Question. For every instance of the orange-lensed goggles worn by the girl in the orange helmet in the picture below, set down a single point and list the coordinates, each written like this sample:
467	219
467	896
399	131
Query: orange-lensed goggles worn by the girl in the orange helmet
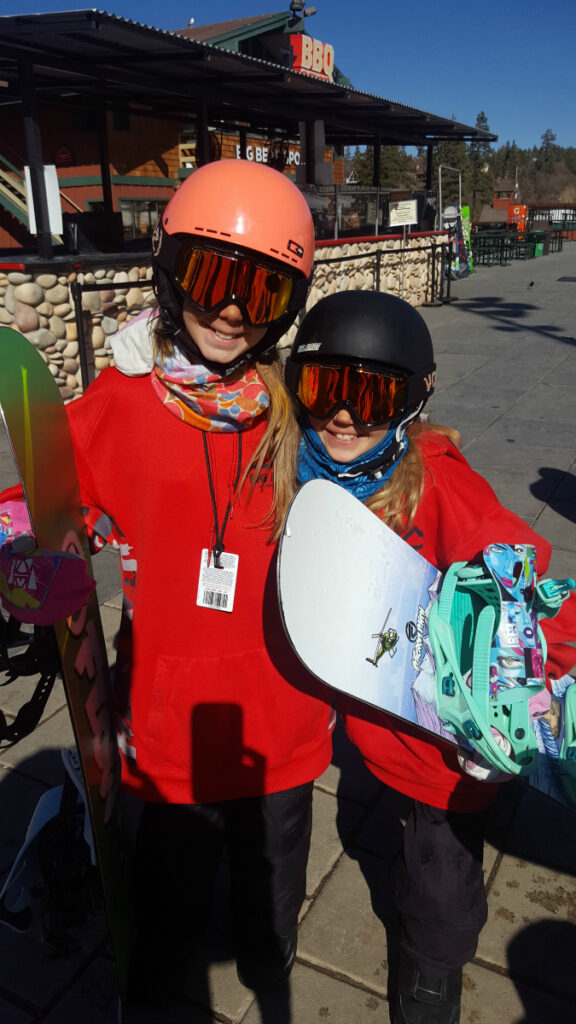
212	279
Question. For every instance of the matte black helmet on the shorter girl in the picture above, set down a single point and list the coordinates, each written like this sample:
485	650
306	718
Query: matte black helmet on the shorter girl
372	330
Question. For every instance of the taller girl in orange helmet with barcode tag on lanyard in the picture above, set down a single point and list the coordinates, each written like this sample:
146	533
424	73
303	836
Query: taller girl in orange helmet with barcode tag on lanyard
221	732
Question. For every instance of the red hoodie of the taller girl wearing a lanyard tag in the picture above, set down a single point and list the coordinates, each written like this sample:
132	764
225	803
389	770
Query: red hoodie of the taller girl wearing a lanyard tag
214	706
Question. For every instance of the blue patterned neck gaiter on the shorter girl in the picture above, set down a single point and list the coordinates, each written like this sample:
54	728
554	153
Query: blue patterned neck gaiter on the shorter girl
365	476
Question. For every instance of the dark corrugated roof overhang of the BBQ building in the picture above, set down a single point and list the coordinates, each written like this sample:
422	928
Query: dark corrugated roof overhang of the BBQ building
93	58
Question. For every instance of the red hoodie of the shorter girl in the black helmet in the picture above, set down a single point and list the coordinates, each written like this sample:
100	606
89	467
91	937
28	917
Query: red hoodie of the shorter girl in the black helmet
460	515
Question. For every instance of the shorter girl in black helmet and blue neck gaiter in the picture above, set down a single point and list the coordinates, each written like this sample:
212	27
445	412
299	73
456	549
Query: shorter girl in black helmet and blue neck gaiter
362	370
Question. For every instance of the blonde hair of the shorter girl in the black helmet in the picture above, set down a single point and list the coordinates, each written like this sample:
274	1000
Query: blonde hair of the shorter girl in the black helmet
398	502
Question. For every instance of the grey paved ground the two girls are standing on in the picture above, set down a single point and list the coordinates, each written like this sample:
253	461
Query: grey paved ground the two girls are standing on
507	355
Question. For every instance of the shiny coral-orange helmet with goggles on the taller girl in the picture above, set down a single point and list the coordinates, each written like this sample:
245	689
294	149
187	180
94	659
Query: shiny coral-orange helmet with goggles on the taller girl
235	232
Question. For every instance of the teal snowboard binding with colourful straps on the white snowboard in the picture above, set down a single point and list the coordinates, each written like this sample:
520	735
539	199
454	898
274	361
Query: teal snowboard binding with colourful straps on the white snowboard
490	653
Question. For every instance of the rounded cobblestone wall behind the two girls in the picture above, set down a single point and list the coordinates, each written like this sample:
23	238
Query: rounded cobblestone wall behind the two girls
40	305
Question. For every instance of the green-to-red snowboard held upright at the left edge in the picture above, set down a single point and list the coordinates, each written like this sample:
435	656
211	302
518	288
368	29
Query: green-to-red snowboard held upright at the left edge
36	423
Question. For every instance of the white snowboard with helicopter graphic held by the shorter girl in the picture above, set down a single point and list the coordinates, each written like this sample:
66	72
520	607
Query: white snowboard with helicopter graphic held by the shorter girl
358	605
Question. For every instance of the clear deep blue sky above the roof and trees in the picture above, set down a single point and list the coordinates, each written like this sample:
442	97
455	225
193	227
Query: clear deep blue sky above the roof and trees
515	62
